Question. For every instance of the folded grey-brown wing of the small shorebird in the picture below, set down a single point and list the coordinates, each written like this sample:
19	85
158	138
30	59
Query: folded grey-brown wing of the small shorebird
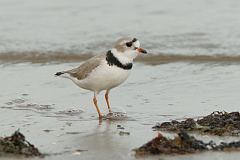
87	67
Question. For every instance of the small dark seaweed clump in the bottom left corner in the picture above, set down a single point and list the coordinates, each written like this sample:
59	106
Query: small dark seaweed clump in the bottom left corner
16	144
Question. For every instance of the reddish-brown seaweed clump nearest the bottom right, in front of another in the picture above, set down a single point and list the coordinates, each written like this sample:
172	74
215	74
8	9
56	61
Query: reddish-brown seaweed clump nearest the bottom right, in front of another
183	144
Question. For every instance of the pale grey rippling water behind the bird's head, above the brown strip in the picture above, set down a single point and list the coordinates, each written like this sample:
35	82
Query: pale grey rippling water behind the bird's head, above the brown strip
183	27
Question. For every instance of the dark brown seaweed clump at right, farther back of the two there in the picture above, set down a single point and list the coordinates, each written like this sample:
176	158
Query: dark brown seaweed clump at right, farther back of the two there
217	123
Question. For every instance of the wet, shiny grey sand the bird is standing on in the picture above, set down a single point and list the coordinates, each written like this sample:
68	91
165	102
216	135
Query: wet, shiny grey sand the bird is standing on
60	119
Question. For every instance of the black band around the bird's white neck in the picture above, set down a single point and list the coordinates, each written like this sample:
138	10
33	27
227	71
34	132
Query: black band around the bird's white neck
112	60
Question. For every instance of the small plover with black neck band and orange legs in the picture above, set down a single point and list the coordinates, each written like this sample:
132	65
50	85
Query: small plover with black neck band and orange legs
106	71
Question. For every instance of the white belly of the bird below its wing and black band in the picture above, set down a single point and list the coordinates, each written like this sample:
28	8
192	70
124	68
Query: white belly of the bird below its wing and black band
103	77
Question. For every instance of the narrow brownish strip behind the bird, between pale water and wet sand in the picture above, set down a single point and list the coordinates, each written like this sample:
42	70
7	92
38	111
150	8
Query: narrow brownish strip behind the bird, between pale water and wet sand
150	59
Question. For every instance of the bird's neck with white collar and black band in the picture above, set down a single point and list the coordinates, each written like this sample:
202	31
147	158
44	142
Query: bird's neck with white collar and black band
118	60
